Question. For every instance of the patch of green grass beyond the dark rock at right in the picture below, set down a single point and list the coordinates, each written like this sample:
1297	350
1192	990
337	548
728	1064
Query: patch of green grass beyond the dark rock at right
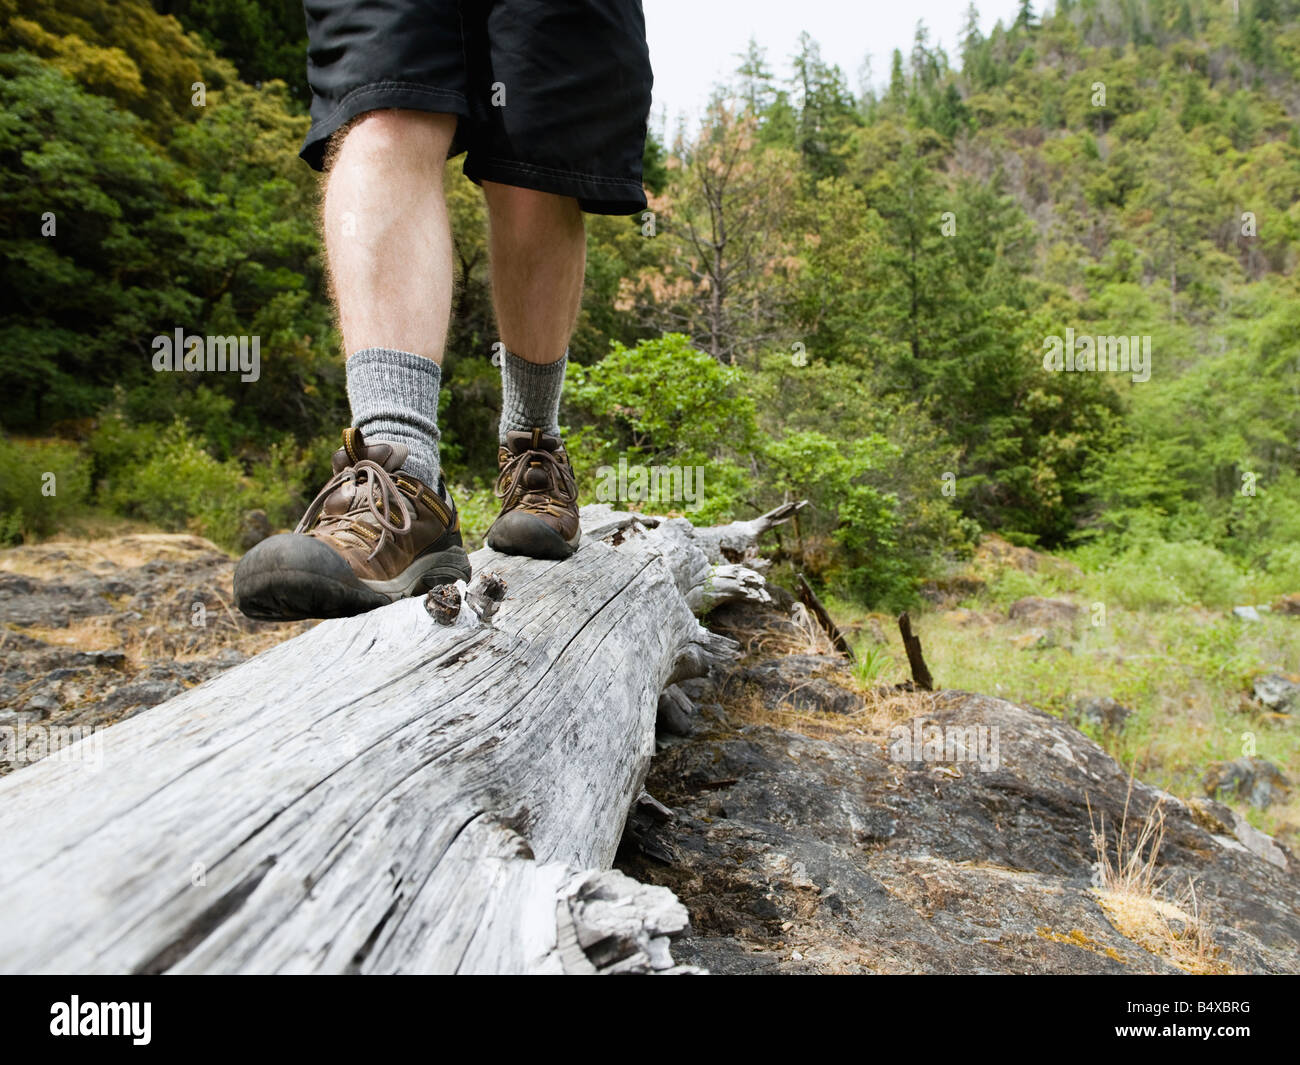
1185	669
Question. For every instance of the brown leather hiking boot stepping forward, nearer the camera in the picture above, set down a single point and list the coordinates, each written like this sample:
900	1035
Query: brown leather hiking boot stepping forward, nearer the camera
374	535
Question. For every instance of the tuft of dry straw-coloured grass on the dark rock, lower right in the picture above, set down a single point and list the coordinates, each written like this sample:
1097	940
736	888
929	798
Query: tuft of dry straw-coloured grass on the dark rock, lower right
1137	899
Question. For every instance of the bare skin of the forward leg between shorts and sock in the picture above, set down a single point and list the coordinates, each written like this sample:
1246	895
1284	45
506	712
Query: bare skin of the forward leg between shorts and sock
387	233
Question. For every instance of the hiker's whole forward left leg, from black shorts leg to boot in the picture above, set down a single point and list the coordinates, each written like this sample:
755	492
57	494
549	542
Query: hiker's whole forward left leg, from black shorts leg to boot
389	81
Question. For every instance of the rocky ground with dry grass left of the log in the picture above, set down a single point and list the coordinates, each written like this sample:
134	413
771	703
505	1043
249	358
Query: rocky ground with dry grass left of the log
94	633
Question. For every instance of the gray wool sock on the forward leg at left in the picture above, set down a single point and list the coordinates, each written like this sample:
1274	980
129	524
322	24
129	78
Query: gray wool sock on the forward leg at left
395	399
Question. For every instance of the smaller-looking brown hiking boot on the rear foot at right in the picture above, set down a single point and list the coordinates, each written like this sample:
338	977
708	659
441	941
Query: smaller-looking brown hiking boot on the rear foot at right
539	499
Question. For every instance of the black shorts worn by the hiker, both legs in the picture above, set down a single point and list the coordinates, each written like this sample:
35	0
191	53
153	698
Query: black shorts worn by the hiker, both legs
552	94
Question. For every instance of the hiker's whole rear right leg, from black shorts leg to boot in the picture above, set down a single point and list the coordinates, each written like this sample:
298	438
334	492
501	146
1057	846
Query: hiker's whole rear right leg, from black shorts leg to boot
545	150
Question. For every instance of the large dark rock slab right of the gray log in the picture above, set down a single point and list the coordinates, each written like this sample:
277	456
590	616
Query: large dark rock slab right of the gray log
859	851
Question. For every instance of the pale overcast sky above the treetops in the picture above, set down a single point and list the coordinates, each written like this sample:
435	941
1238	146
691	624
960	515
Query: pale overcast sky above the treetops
694	42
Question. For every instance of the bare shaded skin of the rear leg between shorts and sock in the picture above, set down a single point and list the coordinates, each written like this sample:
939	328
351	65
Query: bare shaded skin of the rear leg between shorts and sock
539	258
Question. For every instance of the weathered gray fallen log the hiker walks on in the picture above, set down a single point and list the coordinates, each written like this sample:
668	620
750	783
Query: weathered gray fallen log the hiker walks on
382	794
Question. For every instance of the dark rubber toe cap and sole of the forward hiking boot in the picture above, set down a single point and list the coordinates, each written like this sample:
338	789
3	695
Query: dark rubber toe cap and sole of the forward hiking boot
292	577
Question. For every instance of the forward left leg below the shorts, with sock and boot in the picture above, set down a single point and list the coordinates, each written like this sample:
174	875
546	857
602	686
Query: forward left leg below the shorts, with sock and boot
389	249
